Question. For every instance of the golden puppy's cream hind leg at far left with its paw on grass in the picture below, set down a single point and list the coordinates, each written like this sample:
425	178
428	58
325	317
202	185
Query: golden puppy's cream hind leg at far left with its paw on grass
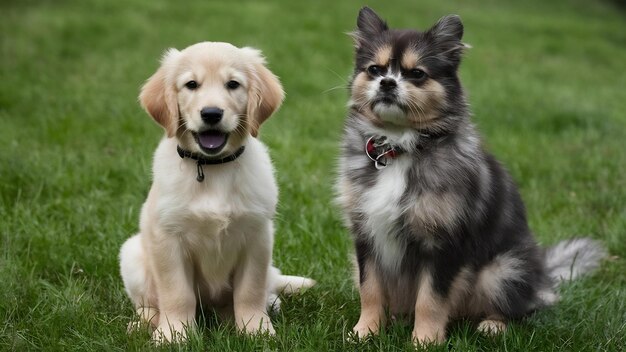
137	283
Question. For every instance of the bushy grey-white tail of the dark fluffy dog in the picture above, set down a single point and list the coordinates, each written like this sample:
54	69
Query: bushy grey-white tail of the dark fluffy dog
570	259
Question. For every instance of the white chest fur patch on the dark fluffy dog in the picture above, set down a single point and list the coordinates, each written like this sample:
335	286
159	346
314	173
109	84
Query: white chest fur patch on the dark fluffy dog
381	204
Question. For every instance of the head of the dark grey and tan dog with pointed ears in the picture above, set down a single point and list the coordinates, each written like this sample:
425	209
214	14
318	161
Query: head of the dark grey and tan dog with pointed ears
407	78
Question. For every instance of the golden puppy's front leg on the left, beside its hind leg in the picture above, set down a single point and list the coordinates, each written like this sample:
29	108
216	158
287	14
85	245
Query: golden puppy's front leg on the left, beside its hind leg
174	284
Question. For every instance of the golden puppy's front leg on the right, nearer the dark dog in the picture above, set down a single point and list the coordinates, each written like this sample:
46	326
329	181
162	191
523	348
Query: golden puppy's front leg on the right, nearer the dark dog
250	283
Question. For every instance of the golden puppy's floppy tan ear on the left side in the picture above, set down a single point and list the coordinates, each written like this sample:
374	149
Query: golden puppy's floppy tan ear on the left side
158	95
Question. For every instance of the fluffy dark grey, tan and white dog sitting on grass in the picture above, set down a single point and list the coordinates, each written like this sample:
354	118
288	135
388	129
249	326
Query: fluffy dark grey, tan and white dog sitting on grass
439	227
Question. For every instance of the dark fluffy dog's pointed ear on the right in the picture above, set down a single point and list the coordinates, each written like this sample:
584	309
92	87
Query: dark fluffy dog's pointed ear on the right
447	34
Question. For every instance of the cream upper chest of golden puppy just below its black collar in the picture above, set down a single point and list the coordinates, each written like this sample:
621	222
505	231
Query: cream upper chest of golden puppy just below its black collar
230	195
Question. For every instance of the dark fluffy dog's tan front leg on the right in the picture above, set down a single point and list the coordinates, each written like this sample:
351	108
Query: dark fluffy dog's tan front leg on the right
431	314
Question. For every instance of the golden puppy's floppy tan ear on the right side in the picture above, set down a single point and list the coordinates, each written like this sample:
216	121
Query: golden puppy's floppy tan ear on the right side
265	93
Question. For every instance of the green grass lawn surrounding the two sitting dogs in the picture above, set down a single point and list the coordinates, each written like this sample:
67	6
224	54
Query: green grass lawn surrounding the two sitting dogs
546	82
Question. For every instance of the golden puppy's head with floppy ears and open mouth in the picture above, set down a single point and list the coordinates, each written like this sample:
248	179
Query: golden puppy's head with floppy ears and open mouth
211	96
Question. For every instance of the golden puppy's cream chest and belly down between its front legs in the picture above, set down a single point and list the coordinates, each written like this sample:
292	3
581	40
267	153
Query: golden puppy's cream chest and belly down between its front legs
214	219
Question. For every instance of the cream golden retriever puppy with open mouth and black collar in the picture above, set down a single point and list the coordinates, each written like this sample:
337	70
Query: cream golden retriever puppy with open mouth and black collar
206	230
